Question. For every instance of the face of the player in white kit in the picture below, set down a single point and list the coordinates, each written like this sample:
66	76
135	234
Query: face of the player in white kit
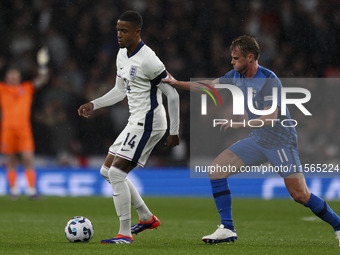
128	35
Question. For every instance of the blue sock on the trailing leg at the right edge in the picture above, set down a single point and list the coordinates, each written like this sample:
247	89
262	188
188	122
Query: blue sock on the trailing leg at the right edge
321	209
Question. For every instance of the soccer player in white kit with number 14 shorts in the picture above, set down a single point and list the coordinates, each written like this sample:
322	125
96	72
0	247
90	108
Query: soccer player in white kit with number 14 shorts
139	78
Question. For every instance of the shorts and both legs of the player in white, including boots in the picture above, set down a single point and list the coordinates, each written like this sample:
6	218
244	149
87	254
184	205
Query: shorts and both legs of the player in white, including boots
133	146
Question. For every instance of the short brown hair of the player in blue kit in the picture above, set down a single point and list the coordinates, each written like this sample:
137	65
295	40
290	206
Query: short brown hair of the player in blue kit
247	44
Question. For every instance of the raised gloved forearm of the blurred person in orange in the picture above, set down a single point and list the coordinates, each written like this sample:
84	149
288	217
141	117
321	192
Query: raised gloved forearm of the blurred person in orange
43	75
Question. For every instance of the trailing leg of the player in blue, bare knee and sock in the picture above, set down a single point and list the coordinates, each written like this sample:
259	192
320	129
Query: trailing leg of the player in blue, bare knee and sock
296	185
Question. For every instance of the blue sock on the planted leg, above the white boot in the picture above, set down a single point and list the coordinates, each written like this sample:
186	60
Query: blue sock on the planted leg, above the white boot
222	196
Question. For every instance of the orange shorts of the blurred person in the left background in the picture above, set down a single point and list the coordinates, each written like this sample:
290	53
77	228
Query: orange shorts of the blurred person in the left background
16	141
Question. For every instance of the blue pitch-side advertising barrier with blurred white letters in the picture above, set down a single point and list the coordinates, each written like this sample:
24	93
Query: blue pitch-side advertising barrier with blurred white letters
169	182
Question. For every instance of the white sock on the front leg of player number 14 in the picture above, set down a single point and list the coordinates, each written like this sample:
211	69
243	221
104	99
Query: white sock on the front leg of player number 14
121	199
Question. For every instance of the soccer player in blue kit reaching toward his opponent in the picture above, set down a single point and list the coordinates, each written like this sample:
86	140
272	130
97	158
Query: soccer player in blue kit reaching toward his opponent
274	143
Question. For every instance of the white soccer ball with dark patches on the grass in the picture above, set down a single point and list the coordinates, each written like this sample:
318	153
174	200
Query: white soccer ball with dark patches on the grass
79	229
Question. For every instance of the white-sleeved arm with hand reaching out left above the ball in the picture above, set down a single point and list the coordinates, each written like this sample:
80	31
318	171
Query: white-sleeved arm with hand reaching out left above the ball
112	97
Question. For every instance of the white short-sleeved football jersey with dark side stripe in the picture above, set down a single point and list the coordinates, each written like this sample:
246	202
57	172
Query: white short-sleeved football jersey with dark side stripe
141	72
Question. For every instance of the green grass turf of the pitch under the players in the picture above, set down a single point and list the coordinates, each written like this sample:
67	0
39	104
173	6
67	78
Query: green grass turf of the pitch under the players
263	227
